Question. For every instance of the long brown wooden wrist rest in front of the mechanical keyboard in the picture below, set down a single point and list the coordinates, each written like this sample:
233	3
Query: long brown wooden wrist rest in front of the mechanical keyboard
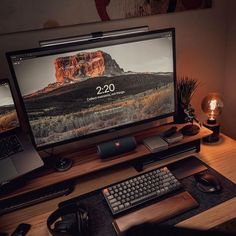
157	212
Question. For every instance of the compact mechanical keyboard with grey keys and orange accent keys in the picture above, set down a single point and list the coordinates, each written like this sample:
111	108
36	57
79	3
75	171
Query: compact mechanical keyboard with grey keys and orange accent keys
140	189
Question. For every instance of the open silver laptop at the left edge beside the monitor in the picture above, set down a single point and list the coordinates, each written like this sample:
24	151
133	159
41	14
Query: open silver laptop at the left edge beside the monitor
17	154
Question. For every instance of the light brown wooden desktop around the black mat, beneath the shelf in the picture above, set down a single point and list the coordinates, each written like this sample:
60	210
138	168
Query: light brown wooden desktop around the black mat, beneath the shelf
220	156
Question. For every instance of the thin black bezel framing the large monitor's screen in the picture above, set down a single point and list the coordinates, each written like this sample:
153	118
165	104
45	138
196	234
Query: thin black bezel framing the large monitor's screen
92	43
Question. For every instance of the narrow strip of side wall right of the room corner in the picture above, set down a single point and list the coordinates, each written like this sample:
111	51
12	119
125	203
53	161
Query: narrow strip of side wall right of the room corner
229	96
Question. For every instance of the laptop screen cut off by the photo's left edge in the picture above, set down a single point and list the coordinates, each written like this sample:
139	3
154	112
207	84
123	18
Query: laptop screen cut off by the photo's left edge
8	115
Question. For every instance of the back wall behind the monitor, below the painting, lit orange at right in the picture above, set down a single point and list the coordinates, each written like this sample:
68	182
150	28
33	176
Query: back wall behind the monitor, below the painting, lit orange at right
200	43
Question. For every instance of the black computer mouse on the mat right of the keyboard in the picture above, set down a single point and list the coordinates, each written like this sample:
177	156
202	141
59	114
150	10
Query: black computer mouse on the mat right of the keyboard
207	183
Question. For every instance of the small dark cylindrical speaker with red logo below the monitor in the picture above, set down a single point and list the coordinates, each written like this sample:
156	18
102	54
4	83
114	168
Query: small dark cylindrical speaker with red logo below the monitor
116	147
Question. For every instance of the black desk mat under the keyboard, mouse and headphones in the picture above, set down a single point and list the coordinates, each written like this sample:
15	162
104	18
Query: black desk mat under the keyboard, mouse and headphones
101	218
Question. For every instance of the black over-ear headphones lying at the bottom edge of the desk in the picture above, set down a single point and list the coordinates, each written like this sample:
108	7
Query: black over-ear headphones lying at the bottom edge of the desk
75	222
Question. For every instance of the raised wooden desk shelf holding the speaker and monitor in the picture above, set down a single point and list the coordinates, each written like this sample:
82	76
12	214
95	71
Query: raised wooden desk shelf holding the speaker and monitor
87	161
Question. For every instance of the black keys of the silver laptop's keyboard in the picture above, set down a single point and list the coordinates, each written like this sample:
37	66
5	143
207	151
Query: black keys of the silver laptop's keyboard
9	146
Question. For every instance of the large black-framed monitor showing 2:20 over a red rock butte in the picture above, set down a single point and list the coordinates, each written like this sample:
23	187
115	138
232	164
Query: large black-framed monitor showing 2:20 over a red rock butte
79	90
